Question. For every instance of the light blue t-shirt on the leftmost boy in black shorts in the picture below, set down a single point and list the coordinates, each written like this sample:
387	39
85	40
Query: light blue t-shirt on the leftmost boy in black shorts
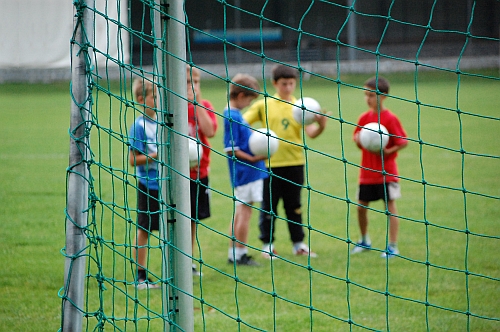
143	138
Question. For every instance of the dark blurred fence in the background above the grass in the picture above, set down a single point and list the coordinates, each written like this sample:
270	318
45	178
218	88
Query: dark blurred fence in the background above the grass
274	28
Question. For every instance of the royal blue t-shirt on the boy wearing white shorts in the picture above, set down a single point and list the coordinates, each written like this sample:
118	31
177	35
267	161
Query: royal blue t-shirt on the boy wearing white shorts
236	135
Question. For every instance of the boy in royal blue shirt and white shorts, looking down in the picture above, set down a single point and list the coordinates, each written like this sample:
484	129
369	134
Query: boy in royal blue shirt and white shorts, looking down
247	171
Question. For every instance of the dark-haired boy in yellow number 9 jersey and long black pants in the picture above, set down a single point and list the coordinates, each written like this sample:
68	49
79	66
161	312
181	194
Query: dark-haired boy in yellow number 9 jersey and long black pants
287	164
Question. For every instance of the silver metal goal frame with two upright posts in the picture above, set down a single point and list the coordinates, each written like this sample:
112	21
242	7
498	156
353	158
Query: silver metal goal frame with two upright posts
176	226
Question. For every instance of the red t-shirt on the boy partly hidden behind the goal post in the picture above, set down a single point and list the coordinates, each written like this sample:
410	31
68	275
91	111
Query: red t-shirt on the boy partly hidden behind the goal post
201	171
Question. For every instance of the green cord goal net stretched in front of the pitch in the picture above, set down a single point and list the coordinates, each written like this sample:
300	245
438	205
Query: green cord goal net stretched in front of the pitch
442	62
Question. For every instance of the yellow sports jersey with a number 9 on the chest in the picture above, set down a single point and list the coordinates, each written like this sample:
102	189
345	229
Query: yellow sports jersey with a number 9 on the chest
279	119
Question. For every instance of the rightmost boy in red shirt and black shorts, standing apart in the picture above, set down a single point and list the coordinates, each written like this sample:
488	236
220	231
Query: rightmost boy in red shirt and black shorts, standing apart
378	178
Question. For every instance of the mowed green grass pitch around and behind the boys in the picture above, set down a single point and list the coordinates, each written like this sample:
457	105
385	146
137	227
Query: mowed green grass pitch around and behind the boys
447	277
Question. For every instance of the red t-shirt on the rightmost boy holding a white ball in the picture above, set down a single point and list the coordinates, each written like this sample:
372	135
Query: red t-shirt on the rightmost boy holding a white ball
371	171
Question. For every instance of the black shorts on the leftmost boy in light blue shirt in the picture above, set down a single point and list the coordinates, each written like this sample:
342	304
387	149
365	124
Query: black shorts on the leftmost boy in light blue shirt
148	208
